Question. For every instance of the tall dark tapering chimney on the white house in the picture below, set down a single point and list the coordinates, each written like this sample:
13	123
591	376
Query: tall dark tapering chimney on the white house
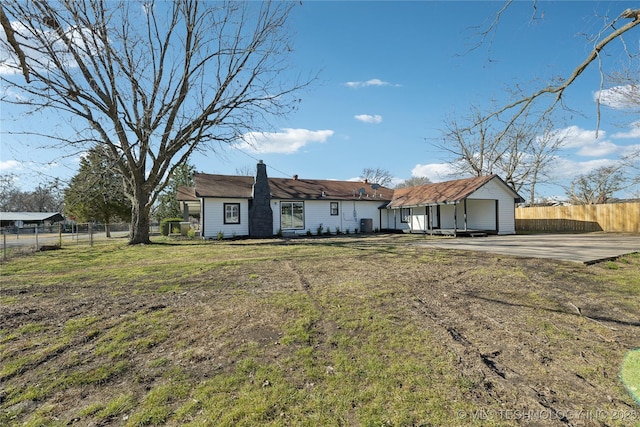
260	213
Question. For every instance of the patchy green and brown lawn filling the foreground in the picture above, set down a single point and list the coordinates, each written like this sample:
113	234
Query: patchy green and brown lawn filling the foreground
353	330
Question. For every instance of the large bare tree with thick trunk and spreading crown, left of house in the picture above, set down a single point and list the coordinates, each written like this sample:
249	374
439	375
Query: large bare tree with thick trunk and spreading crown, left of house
152	81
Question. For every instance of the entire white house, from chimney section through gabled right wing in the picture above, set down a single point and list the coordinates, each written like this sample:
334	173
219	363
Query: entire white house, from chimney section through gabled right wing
263	206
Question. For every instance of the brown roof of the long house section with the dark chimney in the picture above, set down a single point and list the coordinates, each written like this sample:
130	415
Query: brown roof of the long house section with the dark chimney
228	186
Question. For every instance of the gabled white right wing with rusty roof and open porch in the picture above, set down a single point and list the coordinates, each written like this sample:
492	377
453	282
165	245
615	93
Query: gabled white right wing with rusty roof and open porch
484	204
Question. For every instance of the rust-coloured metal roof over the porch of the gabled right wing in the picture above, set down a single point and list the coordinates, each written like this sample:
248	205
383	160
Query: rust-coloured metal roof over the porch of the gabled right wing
438	193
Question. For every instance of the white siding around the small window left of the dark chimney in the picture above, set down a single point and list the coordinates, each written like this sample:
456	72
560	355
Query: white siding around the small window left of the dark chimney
213	211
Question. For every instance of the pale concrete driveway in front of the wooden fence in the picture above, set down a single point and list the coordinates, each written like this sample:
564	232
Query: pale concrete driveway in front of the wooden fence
585	248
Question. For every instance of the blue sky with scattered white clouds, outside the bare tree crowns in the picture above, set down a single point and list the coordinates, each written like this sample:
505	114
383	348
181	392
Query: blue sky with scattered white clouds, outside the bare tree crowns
391	74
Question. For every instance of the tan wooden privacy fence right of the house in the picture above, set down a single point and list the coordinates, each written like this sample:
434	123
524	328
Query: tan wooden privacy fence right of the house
614	218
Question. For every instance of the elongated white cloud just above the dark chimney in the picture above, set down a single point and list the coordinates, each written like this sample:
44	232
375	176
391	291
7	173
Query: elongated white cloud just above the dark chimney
288	141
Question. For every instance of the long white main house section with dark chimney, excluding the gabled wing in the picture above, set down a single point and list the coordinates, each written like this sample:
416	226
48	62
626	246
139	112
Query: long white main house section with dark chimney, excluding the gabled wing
263	206
